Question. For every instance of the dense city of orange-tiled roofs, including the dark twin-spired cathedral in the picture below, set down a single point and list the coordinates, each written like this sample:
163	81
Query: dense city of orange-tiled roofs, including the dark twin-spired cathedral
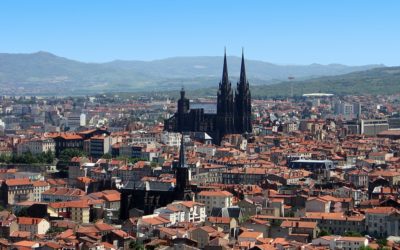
316	171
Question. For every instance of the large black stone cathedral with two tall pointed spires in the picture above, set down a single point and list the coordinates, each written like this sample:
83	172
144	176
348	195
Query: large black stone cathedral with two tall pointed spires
233	111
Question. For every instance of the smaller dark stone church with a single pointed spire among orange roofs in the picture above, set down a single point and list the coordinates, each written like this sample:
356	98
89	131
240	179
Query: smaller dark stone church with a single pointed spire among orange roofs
148	196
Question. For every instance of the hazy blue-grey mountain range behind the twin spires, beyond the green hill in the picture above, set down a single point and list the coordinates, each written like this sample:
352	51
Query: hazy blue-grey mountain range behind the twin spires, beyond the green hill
43	73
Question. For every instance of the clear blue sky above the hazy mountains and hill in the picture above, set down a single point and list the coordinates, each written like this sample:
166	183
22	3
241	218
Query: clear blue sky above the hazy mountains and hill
352	32
